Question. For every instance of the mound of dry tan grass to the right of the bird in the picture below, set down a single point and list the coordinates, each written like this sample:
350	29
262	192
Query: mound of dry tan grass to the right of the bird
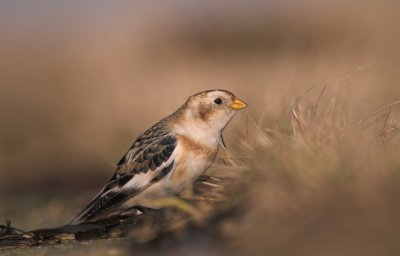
323	184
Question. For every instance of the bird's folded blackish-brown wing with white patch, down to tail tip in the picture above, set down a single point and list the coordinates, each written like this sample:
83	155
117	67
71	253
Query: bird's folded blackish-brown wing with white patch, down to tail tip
148	156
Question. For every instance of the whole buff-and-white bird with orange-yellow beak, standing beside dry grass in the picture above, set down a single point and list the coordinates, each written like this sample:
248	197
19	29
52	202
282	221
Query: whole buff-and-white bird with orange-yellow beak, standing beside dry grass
168	158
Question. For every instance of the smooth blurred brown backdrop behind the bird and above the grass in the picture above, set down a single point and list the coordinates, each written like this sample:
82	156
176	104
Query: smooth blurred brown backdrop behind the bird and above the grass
79	80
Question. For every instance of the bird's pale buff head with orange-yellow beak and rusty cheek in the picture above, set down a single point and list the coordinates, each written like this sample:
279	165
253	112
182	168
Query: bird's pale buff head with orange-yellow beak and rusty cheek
211	110
